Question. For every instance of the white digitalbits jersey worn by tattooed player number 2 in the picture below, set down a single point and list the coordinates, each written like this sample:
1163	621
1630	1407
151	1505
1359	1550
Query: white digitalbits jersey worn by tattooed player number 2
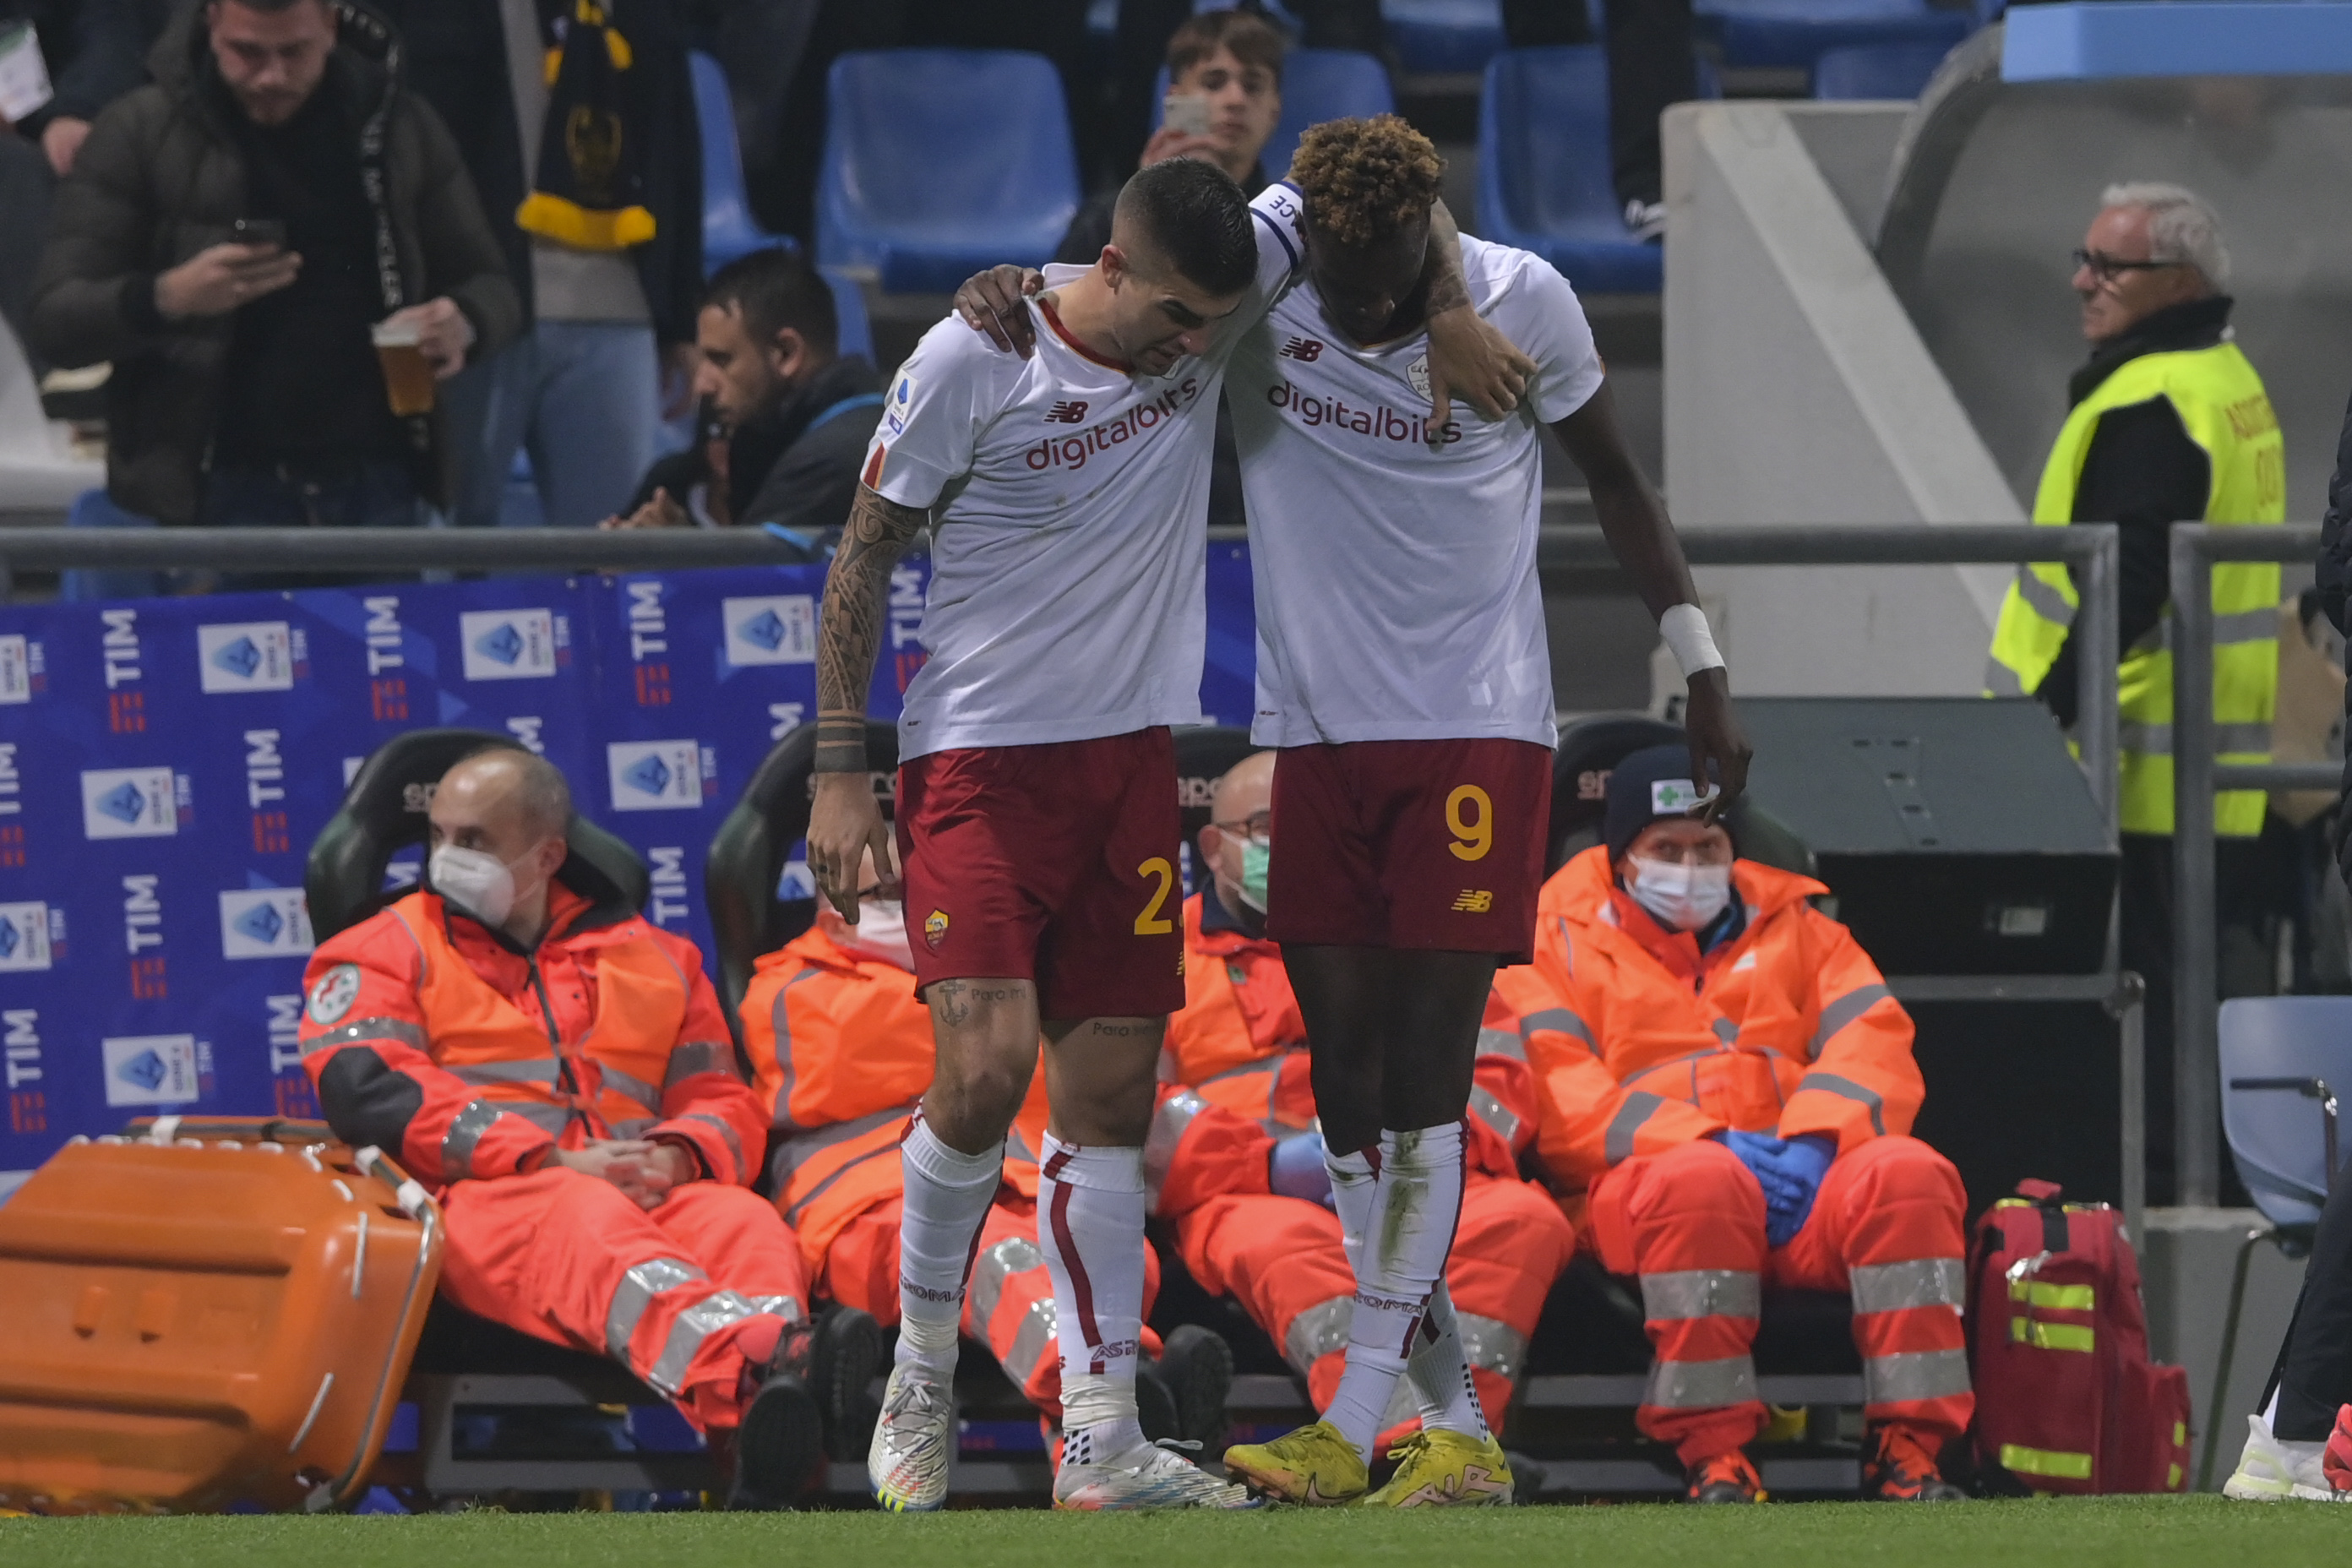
1071	504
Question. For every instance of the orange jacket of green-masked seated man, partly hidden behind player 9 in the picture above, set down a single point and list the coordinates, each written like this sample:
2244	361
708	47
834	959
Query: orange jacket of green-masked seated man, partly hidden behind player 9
1241	1045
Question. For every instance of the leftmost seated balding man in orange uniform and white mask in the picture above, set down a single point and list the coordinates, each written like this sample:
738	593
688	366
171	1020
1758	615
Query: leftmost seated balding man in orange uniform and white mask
596	1193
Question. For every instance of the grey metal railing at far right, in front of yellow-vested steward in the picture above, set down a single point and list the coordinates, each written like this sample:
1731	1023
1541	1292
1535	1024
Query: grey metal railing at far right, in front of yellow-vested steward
2198	777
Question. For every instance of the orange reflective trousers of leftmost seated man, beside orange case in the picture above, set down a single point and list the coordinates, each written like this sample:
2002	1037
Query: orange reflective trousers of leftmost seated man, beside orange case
667	1292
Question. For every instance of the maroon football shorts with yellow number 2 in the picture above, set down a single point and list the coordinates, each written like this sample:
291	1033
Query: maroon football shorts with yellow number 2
1053	864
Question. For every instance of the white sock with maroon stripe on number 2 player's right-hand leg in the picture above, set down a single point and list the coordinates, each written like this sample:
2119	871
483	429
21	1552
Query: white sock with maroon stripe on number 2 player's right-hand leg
1090	1228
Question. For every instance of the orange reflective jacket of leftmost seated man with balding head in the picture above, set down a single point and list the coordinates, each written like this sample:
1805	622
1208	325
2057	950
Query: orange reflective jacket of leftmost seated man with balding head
434	1036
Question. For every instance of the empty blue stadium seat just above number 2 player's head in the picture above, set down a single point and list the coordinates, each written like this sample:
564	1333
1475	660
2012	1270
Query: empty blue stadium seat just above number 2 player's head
942	163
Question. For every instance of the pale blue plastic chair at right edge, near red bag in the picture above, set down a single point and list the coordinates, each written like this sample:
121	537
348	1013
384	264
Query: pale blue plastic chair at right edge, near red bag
2283	1064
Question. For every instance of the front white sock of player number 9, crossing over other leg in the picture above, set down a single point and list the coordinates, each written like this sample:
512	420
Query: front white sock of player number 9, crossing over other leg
1403	1259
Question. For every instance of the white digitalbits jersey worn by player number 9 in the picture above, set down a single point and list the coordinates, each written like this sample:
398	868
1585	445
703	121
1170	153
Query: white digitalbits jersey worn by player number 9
1396	584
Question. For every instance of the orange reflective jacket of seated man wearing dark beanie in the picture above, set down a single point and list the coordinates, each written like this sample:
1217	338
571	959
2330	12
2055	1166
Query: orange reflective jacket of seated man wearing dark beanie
1641	1043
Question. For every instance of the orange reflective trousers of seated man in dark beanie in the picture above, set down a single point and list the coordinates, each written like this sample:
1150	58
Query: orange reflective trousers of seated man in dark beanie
1887	1226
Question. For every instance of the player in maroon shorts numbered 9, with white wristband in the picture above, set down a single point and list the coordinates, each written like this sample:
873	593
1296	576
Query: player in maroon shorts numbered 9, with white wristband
1405	685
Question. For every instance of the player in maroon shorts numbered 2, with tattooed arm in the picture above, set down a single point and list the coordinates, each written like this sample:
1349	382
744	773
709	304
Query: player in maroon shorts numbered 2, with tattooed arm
1038	836
